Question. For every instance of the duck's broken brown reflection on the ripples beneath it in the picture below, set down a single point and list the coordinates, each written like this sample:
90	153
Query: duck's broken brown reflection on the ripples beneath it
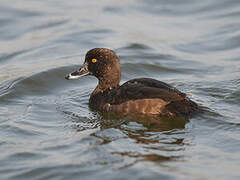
153	136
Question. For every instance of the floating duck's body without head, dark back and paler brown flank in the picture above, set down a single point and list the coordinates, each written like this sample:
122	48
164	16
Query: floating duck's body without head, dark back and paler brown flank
142	96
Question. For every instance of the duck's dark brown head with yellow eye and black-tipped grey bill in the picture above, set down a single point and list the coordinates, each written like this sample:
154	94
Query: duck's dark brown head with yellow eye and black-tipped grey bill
103	64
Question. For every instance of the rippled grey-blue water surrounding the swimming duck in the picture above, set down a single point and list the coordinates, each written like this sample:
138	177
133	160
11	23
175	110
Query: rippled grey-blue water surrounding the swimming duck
46	128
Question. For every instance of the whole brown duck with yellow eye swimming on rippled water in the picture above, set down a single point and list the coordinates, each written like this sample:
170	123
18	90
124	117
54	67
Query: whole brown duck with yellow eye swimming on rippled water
144	96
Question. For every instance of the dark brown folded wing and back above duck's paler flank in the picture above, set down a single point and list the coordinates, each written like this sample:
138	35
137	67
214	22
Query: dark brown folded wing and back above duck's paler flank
145	88
